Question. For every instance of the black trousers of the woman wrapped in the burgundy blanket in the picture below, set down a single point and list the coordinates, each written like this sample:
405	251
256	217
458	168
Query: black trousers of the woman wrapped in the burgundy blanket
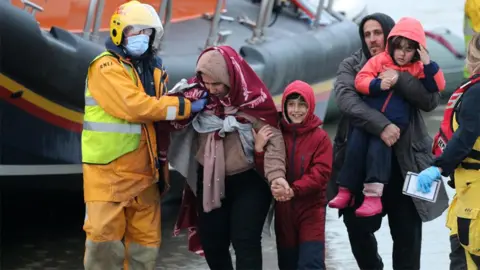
239	221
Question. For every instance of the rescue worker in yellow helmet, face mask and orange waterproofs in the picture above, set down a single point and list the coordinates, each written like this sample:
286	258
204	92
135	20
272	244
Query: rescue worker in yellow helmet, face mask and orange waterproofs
124	96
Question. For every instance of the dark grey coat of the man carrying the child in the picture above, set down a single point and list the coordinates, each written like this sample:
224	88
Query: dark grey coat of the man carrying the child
412	150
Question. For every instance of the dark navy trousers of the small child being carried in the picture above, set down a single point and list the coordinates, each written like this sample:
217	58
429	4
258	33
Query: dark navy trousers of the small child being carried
366	155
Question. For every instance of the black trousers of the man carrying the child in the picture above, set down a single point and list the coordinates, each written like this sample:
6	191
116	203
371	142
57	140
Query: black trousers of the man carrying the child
405	228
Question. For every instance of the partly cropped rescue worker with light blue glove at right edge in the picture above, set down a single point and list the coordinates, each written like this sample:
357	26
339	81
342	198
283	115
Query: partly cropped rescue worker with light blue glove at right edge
460	160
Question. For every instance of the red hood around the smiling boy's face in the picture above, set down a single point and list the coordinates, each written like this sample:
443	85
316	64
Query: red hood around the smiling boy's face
311	120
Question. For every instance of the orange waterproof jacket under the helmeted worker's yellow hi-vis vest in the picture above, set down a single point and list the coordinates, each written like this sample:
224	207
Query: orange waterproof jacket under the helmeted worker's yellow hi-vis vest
111	85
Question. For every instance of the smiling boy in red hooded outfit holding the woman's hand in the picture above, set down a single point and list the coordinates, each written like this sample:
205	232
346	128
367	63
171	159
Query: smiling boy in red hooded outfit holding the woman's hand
301	203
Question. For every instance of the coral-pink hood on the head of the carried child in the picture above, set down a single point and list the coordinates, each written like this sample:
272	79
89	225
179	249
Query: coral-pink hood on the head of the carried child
410	28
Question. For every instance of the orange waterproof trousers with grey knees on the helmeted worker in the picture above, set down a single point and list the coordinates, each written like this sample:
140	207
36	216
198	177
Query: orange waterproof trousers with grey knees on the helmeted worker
123	234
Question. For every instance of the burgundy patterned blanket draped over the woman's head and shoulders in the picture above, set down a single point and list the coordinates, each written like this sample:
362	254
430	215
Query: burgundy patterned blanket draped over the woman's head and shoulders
247	93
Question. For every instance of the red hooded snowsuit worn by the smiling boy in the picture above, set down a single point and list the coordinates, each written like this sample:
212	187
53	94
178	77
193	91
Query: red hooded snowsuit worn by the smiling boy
309	165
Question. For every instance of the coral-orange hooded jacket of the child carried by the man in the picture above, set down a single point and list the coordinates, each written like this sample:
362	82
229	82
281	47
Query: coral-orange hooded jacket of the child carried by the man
411	29
